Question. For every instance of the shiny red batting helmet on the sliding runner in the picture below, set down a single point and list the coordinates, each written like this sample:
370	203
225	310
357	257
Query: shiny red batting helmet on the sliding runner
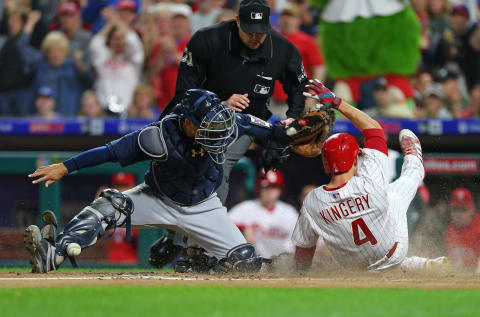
339	152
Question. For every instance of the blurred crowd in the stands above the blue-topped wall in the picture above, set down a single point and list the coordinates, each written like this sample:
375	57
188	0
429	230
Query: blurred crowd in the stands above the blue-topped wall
96	58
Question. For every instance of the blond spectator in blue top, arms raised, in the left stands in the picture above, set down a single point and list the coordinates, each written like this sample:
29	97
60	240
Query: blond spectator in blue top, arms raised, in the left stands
67	75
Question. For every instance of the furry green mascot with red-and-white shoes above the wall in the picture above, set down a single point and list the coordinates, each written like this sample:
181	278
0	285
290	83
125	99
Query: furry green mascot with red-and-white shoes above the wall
366	39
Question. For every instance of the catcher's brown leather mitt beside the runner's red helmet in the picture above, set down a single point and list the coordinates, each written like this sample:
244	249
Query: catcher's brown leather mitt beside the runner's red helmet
309	142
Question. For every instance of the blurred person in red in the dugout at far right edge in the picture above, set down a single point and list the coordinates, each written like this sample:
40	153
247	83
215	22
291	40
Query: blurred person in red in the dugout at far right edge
463	233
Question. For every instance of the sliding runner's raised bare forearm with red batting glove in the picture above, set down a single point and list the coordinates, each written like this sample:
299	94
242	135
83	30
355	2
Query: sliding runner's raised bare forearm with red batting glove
360	119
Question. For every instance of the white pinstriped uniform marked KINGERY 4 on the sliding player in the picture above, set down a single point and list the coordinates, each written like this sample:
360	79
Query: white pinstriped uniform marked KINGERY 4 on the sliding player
362	222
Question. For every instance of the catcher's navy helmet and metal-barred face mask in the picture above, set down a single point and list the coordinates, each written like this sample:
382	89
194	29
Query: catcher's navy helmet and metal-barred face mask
215	122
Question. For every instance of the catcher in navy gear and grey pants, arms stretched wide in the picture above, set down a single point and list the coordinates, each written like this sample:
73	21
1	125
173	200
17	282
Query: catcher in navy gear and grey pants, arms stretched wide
186	150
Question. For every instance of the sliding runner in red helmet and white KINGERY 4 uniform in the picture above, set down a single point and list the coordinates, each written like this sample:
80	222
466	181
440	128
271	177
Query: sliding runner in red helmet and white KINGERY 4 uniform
361	217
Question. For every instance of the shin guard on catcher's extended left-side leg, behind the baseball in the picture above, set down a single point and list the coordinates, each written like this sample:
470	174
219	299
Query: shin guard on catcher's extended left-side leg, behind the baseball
90	224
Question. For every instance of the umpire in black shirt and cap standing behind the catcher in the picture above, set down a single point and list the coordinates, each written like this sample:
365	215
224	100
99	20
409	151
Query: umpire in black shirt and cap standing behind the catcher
240	60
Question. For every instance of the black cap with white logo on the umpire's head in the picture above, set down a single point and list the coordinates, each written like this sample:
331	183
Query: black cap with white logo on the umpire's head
254	16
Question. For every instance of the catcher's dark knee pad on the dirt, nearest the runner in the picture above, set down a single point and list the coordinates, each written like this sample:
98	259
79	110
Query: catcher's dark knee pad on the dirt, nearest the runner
243	259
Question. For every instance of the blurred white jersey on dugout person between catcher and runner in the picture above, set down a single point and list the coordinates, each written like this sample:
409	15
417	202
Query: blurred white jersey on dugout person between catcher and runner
273	228
